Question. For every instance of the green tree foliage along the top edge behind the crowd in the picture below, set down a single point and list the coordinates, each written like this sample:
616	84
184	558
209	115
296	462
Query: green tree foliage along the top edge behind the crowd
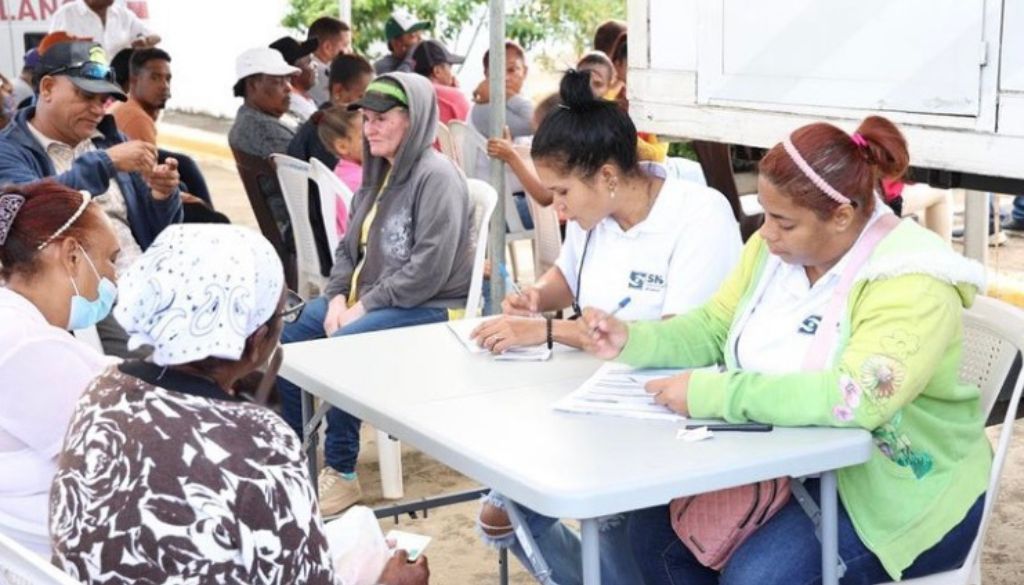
529	22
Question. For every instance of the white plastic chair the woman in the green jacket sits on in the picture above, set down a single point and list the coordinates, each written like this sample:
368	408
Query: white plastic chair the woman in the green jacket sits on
994	333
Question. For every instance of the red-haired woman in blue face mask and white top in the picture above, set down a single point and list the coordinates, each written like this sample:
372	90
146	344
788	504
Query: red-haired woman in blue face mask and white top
58	250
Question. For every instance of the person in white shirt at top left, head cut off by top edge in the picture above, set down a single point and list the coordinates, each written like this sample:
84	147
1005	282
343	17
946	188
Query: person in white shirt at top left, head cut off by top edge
115	27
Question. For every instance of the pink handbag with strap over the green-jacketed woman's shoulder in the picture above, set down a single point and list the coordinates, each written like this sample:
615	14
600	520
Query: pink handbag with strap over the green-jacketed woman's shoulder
714	525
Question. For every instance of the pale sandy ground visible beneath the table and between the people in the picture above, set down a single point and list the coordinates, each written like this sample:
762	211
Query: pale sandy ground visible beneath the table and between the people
457	557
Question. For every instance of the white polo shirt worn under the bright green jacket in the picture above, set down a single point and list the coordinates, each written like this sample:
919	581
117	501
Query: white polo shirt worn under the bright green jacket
777	335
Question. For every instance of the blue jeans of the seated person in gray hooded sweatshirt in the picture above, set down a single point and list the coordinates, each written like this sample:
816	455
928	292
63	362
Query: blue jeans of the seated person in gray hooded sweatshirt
342	447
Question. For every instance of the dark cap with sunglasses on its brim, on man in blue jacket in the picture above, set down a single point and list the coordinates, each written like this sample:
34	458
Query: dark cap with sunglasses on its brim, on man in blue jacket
84	64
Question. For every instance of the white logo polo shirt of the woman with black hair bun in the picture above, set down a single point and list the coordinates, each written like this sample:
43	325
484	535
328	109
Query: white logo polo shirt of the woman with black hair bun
669	264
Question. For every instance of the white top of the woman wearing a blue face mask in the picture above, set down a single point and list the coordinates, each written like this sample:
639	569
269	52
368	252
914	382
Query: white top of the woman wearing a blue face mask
44	371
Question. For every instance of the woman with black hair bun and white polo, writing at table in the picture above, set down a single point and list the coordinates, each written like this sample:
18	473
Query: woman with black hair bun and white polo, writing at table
665	244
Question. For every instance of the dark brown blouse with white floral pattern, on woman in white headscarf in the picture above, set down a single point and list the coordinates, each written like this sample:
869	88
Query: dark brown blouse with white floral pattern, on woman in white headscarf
164	479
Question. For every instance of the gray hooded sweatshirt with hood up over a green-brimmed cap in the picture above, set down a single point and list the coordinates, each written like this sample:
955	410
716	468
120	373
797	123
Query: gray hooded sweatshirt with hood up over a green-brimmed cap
419	252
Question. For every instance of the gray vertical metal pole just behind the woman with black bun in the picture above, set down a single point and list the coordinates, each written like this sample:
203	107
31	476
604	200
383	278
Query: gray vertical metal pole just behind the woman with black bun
496	68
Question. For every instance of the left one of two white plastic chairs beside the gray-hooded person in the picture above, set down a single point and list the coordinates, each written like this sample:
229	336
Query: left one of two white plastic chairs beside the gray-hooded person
293	176
